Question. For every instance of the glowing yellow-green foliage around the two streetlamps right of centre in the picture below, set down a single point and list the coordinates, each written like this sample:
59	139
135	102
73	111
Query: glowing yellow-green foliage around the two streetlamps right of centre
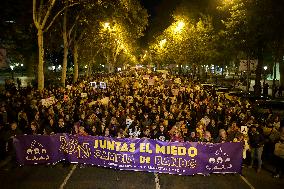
193	43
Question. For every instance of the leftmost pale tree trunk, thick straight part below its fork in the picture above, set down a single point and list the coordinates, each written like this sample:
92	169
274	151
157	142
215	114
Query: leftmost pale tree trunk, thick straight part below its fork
40	72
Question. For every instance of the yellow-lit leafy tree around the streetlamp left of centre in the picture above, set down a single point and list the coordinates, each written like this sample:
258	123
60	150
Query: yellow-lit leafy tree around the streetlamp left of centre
115	30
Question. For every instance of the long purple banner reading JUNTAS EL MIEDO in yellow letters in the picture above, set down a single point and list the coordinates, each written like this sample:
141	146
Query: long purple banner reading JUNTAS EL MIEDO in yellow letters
187	158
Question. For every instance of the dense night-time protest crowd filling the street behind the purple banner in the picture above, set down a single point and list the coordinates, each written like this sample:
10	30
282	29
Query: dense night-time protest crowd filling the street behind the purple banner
138	104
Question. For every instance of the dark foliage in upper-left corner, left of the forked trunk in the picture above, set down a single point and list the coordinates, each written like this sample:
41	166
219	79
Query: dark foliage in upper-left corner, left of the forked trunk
17	33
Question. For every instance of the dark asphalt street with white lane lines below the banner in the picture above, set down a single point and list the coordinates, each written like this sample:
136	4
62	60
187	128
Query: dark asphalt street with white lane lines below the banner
75	176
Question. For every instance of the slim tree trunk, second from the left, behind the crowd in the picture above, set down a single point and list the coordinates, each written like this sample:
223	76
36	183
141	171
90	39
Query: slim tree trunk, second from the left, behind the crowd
65	42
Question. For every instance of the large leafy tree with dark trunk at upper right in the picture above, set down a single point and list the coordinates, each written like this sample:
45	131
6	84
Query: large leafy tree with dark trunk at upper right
245	29
